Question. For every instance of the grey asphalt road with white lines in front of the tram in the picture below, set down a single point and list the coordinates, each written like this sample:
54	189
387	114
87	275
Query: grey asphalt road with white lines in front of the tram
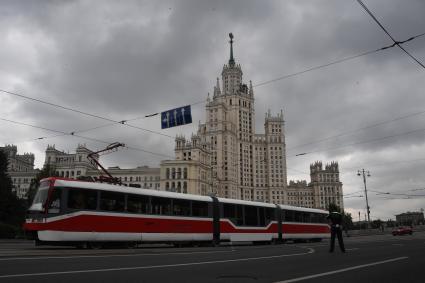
382	258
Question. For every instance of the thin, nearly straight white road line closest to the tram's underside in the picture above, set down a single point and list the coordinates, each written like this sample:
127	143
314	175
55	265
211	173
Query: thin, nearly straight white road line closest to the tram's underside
106	255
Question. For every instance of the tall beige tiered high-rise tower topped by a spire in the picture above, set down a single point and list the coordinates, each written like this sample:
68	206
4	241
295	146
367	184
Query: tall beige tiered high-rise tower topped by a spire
226	157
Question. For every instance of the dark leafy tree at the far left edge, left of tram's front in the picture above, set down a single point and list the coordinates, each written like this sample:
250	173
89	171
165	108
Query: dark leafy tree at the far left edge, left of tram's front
12	209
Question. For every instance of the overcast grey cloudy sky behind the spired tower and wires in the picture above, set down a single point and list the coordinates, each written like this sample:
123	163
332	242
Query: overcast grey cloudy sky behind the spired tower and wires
127	59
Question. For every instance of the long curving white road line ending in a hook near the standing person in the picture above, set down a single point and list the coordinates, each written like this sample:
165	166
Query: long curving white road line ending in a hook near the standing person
310	251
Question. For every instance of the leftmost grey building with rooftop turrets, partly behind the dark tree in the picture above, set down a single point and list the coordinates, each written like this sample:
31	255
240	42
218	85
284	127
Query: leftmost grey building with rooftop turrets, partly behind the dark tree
20	169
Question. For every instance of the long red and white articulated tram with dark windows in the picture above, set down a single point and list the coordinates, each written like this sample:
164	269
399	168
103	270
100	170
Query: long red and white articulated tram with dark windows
75	212
